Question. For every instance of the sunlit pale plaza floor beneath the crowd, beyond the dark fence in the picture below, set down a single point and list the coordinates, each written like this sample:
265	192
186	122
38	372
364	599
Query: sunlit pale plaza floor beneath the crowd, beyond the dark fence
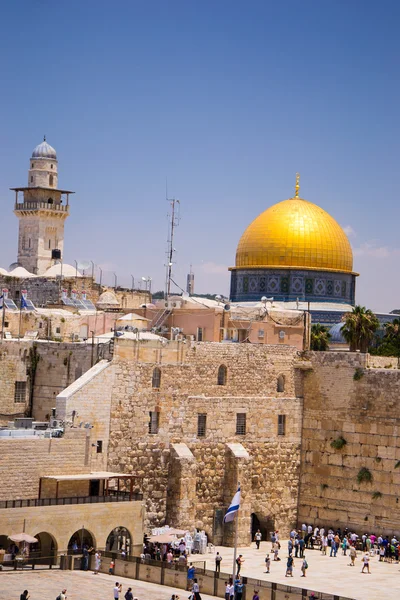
324	574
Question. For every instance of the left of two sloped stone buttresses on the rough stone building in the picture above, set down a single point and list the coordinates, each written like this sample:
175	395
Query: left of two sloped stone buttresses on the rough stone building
181	495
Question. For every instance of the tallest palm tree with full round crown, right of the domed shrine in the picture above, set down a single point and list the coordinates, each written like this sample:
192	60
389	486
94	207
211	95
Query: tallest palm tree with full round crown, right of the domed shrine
359	328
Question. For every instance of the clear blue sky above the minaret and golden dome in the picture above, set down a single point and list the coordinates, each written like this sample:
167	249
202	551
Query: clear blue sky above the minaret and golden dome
228	100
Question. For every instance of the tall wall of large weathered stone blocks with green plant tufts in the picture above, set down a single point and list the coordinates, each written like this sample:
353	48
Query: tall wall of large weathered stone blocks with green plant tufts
342	398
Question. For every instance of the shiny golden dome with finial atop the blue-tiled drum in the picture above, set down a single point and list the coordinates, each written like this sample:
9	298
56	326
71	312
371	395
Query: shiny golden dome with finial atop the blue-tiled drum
295	233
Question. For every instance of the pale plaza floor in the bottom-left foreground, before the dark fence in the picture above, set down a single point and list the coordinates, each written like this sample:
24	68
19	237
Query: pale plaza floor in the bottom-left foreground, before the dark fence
80	585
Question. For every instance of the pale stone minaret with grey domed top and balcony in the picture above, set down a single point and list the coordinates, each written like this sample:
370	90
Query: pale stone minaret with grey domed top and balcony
41	213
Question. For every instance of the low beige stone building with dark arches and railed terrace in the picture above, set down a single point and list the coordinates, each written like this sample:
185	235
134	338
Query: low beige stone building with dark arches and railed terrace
50	491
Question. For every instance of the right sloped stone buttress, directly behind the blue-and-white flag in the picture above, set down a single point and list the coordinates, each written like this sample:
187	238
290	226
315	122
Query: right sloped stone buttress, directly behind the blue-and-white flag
238	469
